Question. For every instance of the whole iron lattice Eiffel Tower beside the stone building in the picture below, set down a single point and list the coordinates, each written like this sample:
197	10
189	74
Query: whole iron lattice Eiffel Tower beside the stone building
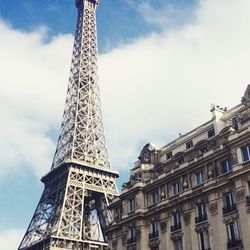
72	212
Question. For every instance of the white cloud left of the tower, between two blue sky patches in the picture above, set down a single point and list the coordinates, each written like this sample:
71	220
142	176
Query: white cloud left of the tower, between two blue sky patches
32	90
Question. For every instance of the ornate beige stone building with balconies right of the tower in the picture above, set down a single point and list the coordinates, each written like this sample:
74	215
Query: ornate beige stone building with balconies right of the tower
193	193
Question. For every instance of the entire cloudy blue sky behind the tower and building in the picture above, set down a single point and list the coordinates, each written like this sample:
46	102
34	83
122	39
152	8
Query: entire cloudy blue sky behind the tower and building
162	63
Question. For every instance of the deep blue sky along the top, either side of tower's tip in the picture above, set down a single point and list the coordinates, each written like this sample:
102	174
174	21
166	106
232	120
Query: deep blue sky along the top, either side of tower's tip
119	20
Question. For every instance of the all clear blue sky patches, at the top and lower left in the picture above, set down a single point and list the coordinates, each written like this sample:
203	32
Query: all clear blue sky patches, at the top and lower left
119	22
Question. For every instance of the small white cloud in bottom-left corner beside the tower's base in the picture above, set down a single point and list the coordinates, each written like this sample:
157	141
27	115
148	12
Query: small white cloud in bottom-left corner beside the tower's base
10	239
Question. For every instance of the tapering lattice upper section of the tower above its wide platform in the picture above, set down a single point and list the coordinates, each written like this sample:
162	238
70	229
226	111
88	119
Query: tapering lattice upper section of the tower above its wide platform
82	135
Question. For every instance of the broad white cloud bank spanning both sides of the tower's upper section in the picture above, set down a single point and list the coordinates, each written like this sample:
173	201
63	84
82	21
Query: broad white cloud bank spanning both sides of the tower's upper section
152	89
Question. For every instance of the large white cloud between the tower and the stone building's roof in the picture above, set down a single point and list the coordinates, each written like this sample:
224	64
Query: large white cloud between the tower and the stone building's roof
164	84
